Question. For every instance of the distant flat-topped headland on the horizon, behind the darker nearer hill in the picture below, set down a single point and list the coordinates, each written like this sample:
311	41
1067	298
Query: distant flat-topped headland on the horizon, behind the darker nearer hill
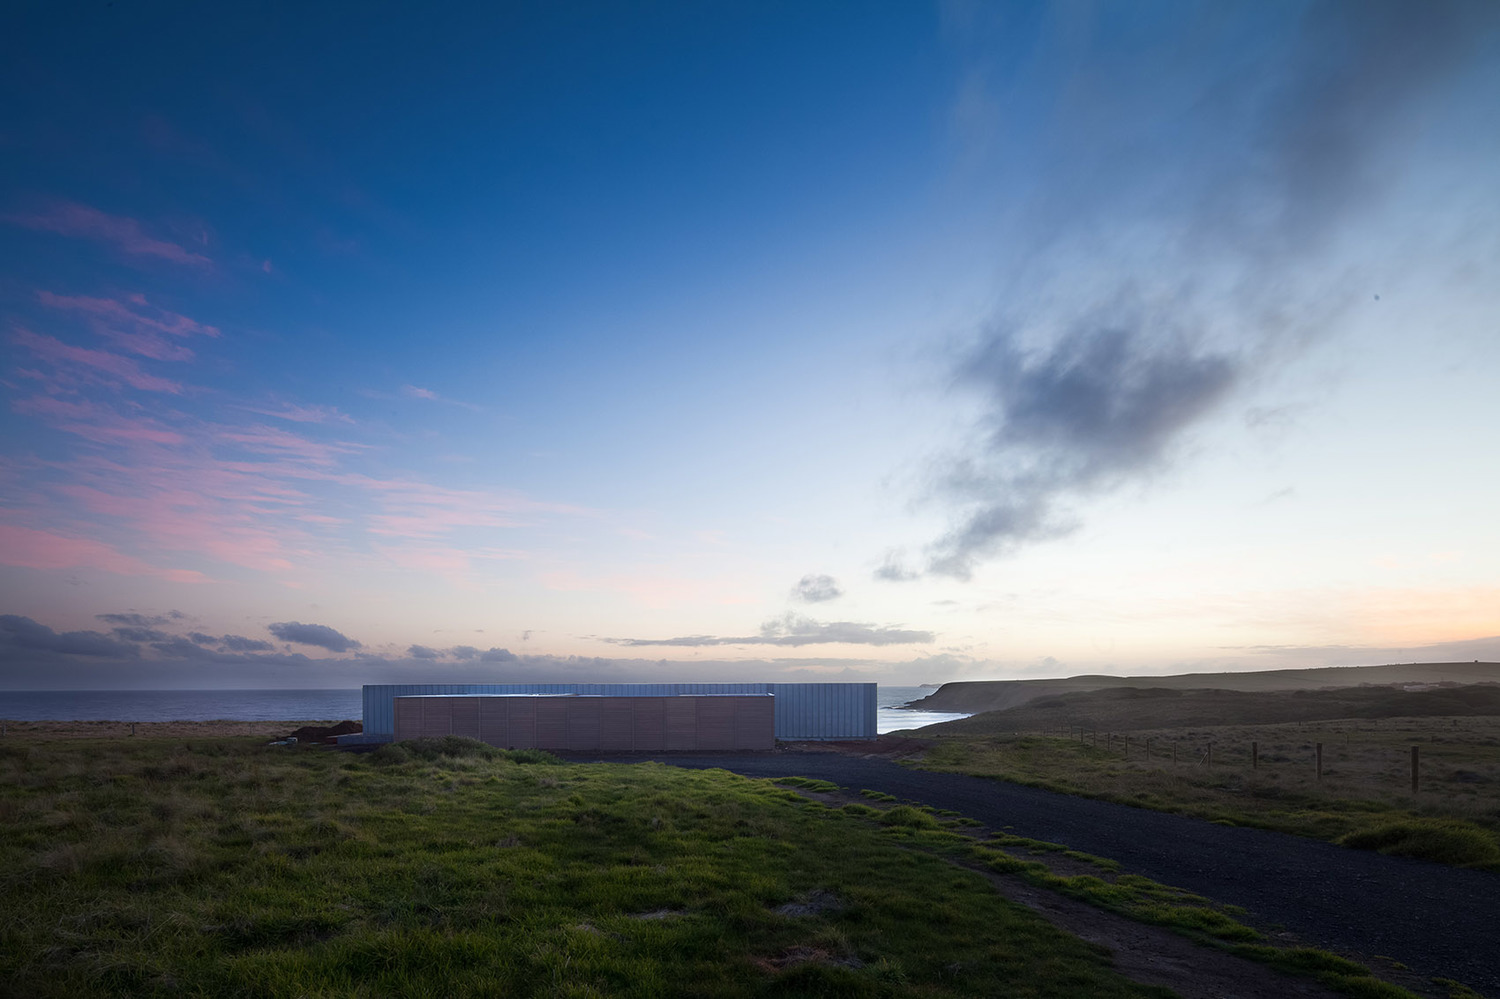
1000	695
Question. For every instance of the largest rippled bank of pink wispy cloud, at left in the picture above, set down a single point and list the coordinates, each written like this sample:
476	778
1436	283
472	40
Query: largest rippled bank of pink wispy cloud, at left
253	496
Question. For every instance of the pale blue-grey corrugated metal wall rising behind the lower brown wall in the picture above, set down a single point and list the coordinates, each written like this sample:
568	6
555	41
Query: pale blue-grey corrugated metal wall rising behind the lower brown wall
803	712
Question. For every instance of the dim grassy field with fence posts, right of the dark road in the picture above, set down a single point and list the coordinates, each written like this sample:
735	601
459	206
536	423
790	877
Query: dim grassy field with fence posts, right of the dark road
1363	799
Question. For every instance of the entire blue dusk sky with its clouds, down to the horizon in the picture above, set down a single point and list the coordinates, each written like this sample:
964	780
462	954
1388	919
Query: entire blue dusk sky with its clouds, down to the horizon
746	341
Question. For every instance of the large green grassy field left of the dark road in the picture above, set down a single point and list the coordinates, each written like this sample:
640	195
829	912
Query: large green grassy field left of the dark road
223	868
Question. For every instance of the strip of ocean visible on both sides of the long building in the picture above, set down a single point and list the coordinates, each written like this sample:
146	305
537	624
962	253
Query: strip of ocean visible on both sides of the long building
298	706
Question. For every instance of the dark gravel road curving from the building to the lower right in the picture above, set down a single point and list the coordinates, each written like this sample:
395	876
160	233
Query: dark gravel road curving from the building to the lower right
1441	922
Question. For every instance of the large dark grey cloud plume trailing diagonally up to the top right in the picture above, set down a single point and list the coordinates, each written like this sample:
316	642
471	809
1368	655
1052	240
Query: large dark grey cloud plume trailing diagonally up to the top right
1163	275
